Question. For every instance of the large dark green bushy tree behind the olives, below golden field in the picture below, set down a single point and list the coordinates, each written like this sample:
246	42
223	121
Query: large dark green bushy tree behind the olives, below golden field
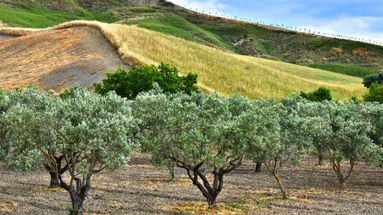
141	79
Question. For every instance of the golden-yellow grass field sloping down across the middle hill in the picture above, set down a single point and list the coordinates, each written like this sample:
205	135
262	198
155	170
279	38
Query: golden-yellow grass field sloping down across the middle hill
220	71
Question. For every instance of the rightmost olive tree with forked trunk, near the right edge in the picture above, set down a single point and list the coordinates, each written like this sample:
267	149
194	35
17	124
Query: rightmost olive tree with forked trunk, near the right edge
346	137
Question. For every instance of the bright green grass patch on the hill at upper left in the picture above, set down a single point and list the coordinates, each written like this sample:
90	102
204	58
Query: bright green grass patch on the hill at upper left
37	16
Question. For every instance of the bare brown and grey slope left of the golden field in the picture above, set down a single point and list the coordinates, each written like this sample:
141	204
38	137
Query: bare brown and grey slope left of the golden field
56	59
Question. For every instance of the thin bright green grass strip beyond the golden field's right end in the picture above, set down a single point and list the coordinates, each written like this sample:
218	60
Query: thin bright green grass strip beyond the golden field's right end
352	70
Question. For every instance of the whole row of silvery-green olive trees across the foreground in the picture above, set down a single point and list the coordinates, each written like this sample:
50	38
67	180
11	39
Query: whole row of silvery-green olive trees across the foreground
80	133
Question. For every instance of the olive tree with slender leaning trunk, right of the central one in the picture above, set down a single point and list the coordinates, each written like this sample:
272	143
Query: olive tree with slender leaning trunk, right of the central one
273	135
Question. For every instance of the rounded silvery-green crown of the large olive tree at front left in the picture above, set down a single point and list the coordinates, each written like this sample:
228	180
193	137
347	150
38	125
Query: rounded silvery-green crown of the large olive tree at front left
95	130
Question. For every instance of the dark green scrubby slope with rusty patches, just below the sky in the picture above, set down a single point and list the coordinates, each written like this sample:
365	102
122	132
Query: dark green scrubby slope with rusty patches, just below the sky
262	41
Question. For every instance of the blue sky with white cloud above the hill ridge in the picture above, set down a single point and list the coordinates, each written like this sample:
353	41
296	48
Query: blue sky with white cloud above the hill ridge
357	18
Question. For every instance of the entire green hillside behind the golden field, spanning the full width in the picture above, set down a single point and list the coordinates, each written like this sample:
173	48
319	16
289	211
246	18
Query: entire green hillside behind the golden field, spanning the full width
341	56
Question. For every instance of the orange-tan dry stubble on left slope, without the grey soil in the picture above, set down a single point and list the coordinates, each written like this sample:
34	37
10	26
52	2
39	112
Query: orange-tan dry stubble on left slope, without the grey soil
32	58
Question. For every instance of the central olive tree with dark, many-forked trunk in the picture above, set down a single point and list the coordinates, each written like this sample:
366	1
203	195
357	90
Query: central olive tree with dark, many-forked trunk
197	132
